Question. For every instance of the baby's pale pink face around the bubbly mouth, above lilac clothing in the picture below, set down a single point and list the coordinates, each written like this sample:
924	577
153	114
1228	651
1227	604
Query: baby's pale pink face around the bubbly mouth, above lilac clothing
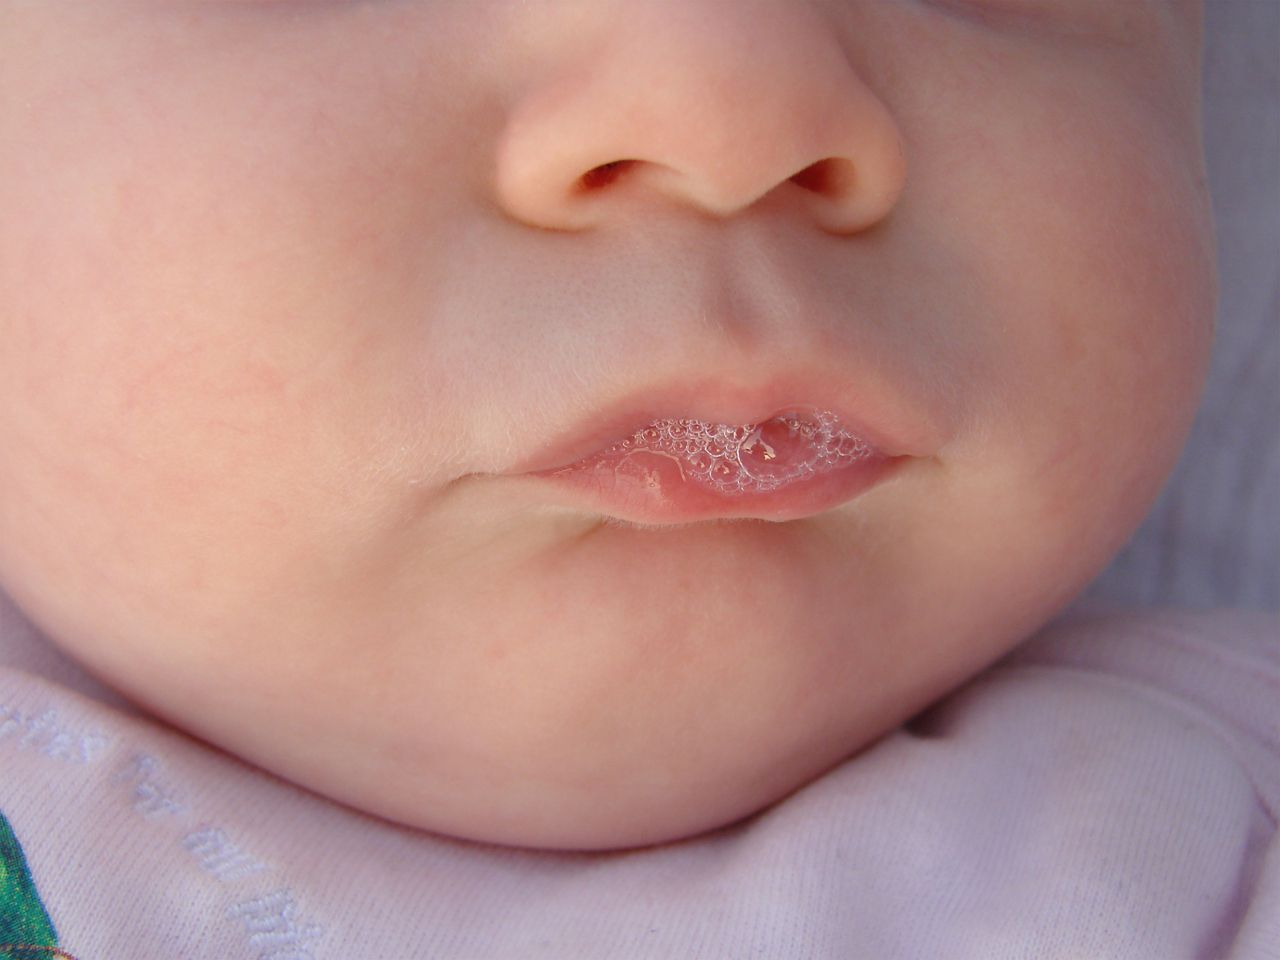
291	292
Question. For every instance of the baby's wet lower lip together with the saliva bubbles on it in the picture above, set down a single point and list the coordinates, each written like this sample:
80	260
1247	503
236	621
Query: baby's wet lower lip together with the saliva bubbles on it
799	463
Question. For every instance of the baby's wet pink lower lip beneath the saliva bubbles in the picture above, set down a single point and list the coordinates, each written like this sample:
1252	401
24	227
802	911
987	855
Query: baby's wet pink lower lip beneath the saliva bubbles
653	490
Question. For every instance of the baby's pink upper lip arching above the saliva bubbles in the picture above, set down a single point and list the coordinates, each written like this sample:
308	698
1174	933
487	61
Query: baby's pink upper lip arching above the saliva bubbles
862	406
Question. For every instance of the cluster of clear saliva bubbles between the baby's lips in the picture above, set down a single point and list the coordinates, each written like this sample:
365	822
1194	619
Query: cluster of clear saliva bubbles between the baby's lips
752	459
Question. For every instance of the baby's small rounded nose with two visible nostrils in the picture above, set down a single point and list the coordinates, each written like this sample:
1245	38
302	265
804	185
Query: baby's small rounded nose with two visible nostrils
711	104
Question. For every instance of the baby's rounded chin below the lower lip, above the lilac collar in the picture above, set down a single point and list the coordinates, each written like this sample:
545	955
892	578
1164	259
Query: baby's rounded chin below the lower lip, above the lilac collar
628	724
